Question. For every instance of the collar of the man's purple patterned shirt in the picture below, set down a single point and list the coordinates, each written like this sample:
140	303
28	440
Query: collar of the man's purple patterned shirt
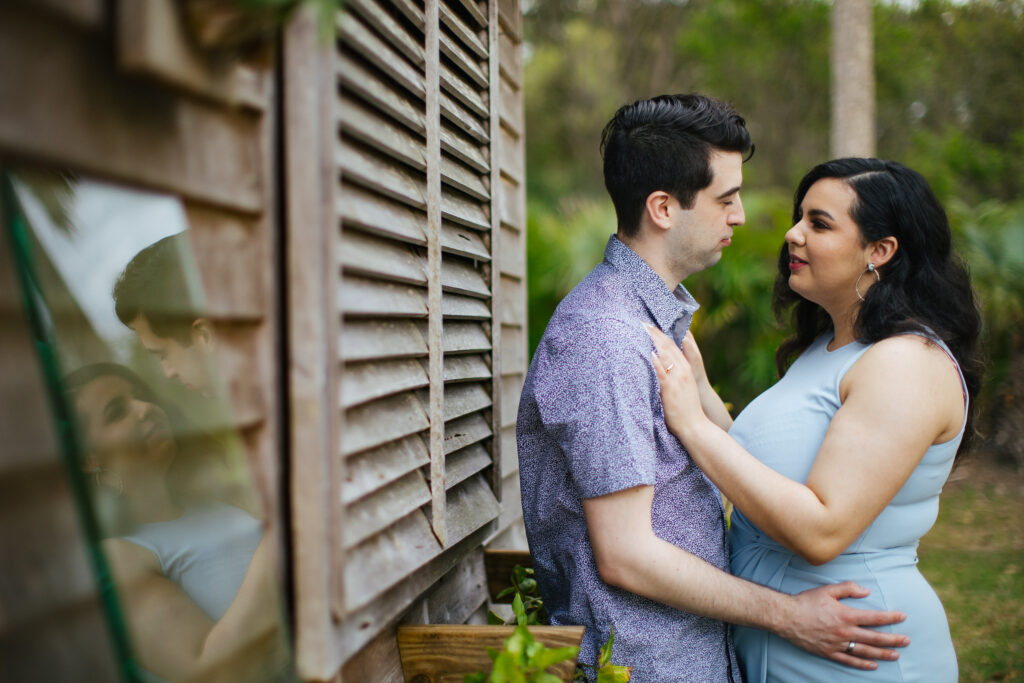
672	310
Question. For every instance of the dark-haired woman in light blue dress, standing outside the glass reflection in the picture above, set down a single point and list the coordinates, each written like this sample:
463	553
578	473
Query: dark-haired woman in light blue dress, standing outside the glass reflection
835	473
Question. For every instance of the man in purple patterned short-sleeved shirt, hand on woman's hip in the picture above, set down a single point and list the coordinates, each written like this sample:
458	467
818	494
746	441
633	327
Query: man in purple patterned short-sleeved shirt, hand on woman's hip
625	531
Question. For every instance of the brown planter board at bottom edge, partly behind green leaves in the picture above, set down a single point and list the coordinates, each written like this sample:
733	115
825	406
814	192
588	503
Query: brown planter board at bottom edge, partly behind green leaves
445	654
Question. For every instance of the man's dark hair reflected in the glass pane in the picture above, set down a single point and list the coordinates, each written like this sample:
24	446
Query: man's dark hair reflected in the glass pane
155	285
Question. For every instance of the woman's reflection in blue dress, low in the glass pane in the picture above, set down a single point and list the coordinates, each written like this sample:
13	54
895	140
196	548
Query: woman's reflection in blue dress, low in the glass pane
194	575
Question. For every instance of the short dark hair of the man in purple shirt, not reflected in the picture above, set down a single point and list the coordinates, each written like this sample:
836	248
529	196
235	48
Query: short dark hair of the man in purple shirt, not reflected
665	144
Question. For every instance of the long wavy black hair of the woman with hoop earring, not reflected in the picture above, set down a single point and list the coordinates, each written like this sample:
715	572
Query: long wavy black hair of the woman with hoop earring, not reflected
925	285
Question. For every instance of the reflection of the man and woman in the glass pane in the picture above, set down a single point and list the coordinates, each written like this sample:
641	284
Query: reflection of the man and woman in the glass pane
194	570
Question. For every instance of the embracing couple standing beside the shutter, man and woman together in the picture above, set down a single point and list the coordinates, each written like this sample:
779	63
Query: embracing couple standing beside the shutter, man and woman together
835	472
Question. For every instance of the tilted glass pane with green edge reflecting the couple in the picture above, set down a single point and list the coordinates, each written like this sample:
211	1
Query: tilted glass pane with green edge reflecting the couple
110	282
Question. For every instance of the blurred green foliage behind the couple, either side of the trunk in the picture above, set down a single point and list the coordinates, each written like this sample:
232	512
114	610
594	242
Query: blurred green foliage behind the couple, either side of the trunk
950	94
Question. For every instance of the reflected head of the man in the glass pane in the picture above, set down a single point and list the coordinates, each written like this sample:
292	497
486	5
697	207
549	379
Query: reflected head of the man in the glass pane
153	297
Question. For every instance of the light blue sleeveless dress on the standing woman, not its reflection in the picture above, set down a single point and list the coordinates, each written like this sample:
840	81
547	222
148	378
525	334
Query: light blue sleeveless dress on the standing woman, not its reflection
785	429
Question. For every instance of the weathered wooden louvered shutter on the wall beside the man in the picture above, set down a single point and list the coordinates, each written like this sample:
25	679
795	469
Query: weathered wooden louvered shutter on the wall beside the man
419	349
